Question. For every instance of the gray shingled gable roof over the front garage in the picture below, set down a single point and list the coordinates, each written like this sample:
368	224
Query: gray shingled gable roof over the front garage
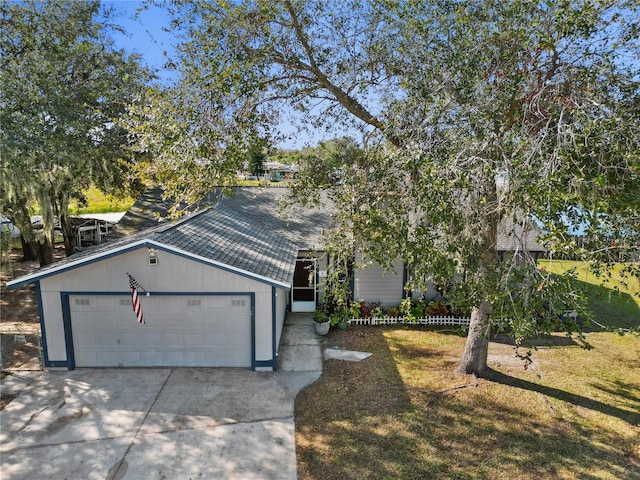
219	235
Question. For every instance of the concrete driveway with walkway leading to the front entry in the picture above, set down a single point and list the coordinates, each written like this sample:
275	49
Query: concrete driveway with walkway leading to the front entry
159	423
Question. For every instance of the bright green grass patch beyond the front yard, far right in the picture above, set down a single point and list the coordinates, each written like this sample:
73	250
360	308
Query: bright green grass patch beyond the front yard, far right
616	303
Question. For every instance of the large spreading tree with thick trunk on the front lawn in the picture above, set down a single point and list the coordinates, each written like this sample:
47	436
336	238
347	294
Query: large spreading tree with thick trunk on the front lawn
479	116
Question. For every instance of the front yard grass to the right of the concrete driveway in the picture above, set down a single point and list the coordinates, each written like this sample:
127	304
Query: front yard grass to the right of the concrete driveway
403	414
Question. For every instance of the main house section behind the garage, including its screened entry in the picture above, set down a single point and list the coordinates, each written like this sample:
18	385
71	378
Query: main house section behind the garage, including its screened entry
303	226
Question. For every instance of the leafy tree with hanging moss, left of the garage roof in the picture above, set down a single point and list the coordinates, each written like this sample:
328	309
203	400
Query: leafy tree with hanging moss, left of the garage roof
63	86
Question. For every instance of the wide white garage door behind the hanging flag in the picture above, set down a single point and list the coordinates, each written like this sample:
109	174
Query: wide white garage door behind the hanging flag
180	331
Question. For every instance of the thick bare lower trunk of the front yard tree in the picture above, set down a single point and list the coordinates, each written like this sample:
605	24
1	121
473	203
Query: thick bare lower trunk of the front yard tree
474	357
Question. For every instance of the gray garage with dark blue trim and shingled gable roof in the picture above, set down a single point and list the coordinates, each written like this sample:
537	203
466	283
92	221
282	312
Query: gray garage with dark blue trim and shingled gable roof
216	288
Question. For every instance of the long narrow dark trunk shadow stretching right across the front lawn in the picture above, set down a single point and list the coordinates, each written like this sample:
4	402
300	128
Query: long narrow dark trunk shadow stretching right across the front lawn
628	416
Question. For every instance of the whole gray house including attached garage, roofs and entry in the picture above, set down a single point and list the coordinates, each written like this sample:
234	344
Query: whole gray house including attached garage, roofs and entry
219	281
